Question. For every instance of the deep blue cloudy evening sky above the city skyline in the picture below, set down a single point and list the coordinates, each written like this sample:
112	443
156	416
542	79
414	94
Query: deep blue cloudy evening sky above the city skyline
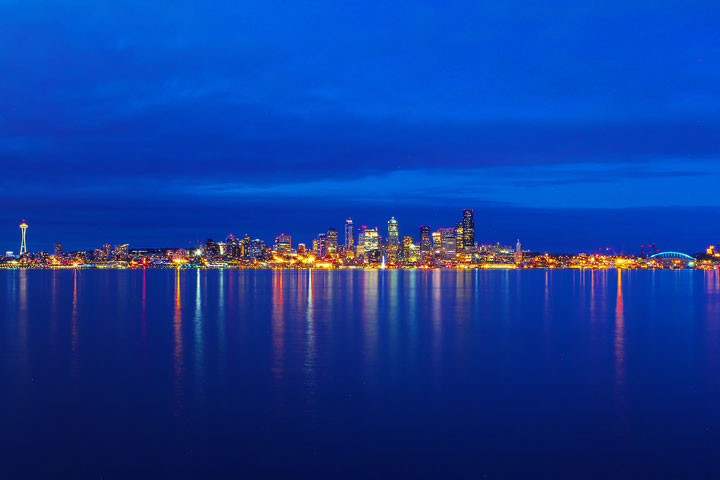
570	125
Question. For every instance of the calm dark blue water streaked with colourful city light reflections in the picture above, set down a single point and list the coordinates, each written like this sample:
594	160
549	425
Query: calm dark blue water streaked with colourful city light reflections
357	374
